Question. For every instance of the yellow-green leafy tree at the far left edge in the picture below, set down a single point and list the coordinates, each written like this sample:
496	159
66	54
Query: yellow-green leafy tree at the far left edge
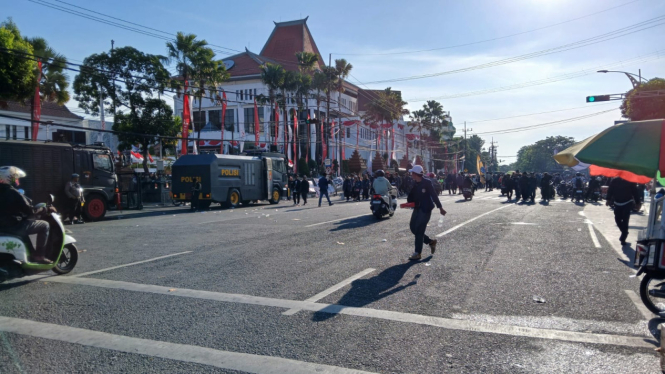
17	67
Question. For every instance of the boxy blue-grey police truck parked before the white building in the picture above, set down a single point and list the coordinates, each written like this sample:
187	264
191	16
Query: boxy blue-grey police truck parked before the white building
230	180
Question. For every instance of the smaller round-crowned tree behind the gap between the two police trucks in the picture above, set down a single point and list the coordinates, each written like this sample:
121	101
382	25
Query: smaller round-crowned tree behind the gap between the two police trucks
142	124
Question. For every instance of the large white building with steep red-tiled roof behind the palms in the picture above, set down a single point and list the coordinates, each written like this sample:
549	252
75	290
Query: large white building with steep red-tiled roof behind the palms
245	85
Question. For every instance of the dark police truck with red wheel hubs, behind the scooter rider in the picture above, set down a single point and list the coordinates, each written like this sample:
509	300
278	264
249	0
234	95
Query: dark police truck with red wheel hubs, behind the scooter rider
49	167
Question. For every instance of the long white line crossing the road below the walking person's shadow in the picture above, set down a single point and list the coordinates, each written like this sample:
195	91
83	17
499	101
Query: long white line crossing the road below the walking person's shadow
445	323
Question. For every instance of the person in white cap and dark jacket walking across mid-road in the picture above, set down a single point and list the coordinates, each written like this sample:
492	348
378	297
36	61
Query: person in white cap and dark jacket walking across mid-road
424	196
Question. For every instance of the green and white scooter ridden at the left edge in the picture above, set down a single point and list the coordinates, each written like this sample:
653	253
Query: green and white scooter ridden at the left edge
15	250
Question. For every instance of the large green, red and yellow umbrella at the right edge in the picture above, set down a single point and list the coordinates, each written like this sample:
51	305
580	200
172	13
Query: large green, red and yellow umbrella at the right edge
630	150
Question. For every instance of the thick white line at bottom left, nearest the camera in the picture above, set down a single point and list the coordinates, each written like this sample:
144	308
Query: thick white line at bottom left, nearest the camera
154	348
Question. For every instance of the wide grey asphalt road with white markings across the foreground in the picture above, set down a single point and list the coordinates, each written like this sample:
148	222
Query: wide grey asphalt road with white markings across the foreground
512	288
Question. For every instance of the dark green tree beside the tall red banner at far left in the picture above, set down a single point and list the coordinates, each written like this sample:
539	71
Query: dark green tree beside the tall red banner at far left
53	83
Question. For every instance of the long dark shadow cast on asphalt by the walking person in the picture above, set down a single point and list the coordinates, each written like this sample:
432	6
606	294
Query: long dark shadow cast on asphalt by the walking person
367	291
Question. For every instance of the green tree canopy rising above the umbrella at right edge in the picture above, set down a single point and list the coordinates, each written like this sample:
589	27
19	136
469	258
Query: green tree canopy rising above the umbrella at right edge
641	109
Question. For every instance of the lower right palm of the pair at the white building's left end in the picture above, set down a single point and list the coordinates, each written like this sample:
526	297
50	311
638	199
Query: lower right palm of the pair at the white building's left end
207	75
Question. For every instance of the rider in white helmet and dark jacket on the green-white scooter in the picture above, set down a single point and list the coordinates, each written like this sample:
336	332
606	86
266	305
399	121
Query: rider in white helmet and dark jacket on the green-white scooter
15	210
